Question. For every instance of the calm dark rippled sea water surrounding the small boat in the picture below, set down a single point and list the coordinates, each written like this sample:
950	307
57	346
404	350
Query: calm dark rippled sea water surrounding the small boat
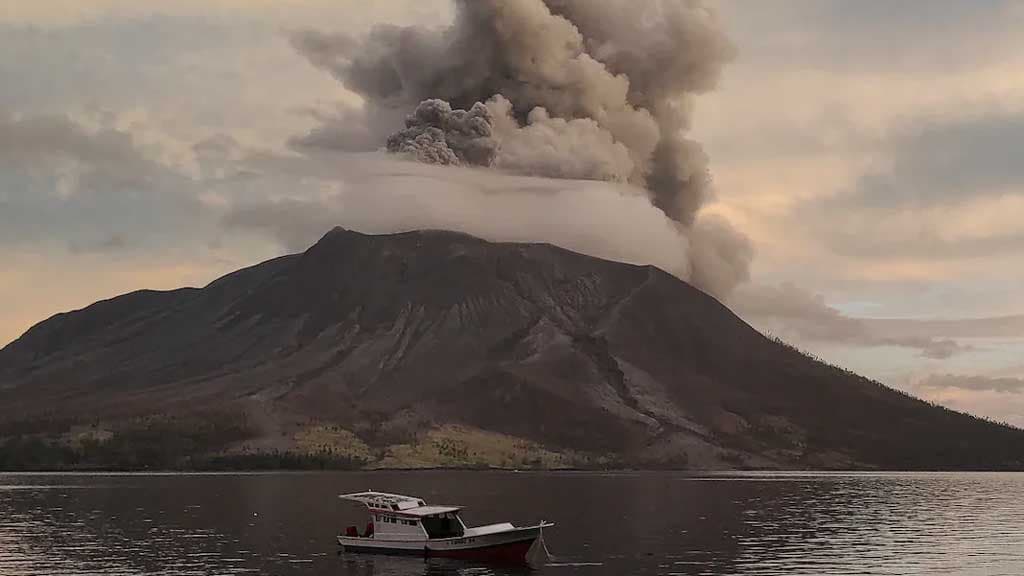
609	524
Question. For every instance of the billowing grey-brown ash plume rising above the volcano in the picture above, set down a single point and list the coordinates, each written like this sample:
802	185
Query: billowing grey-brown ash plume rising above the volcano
576	90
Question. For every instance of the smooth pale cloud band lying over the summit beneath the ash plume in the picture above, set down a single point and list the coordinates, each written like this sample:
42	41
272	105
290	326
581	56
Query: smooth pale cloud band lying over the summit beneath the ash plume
374	194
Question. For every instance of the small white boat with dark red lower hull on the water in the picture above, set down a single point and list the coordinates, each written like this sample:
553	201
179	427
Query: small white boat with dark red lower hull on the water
407	525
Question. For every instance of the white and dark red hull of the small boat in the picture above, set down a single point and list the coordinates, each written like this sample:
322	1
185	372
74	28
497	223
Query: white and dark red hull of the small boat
509	547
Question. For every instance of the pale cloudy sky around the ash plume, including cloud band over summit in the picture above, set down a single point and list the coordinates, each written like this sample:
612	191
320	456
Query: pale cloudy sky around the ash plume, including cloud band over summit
871	153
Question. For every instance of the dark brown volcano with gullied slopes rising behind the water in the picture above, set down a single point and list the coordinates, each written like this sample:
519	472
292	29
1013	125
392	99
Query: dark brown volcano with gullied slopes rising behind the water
377	345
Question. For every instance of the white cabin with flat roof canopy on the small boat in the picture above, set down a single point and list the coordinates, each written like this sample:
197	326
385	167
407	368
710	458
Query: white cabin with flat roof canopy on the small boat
395	517
